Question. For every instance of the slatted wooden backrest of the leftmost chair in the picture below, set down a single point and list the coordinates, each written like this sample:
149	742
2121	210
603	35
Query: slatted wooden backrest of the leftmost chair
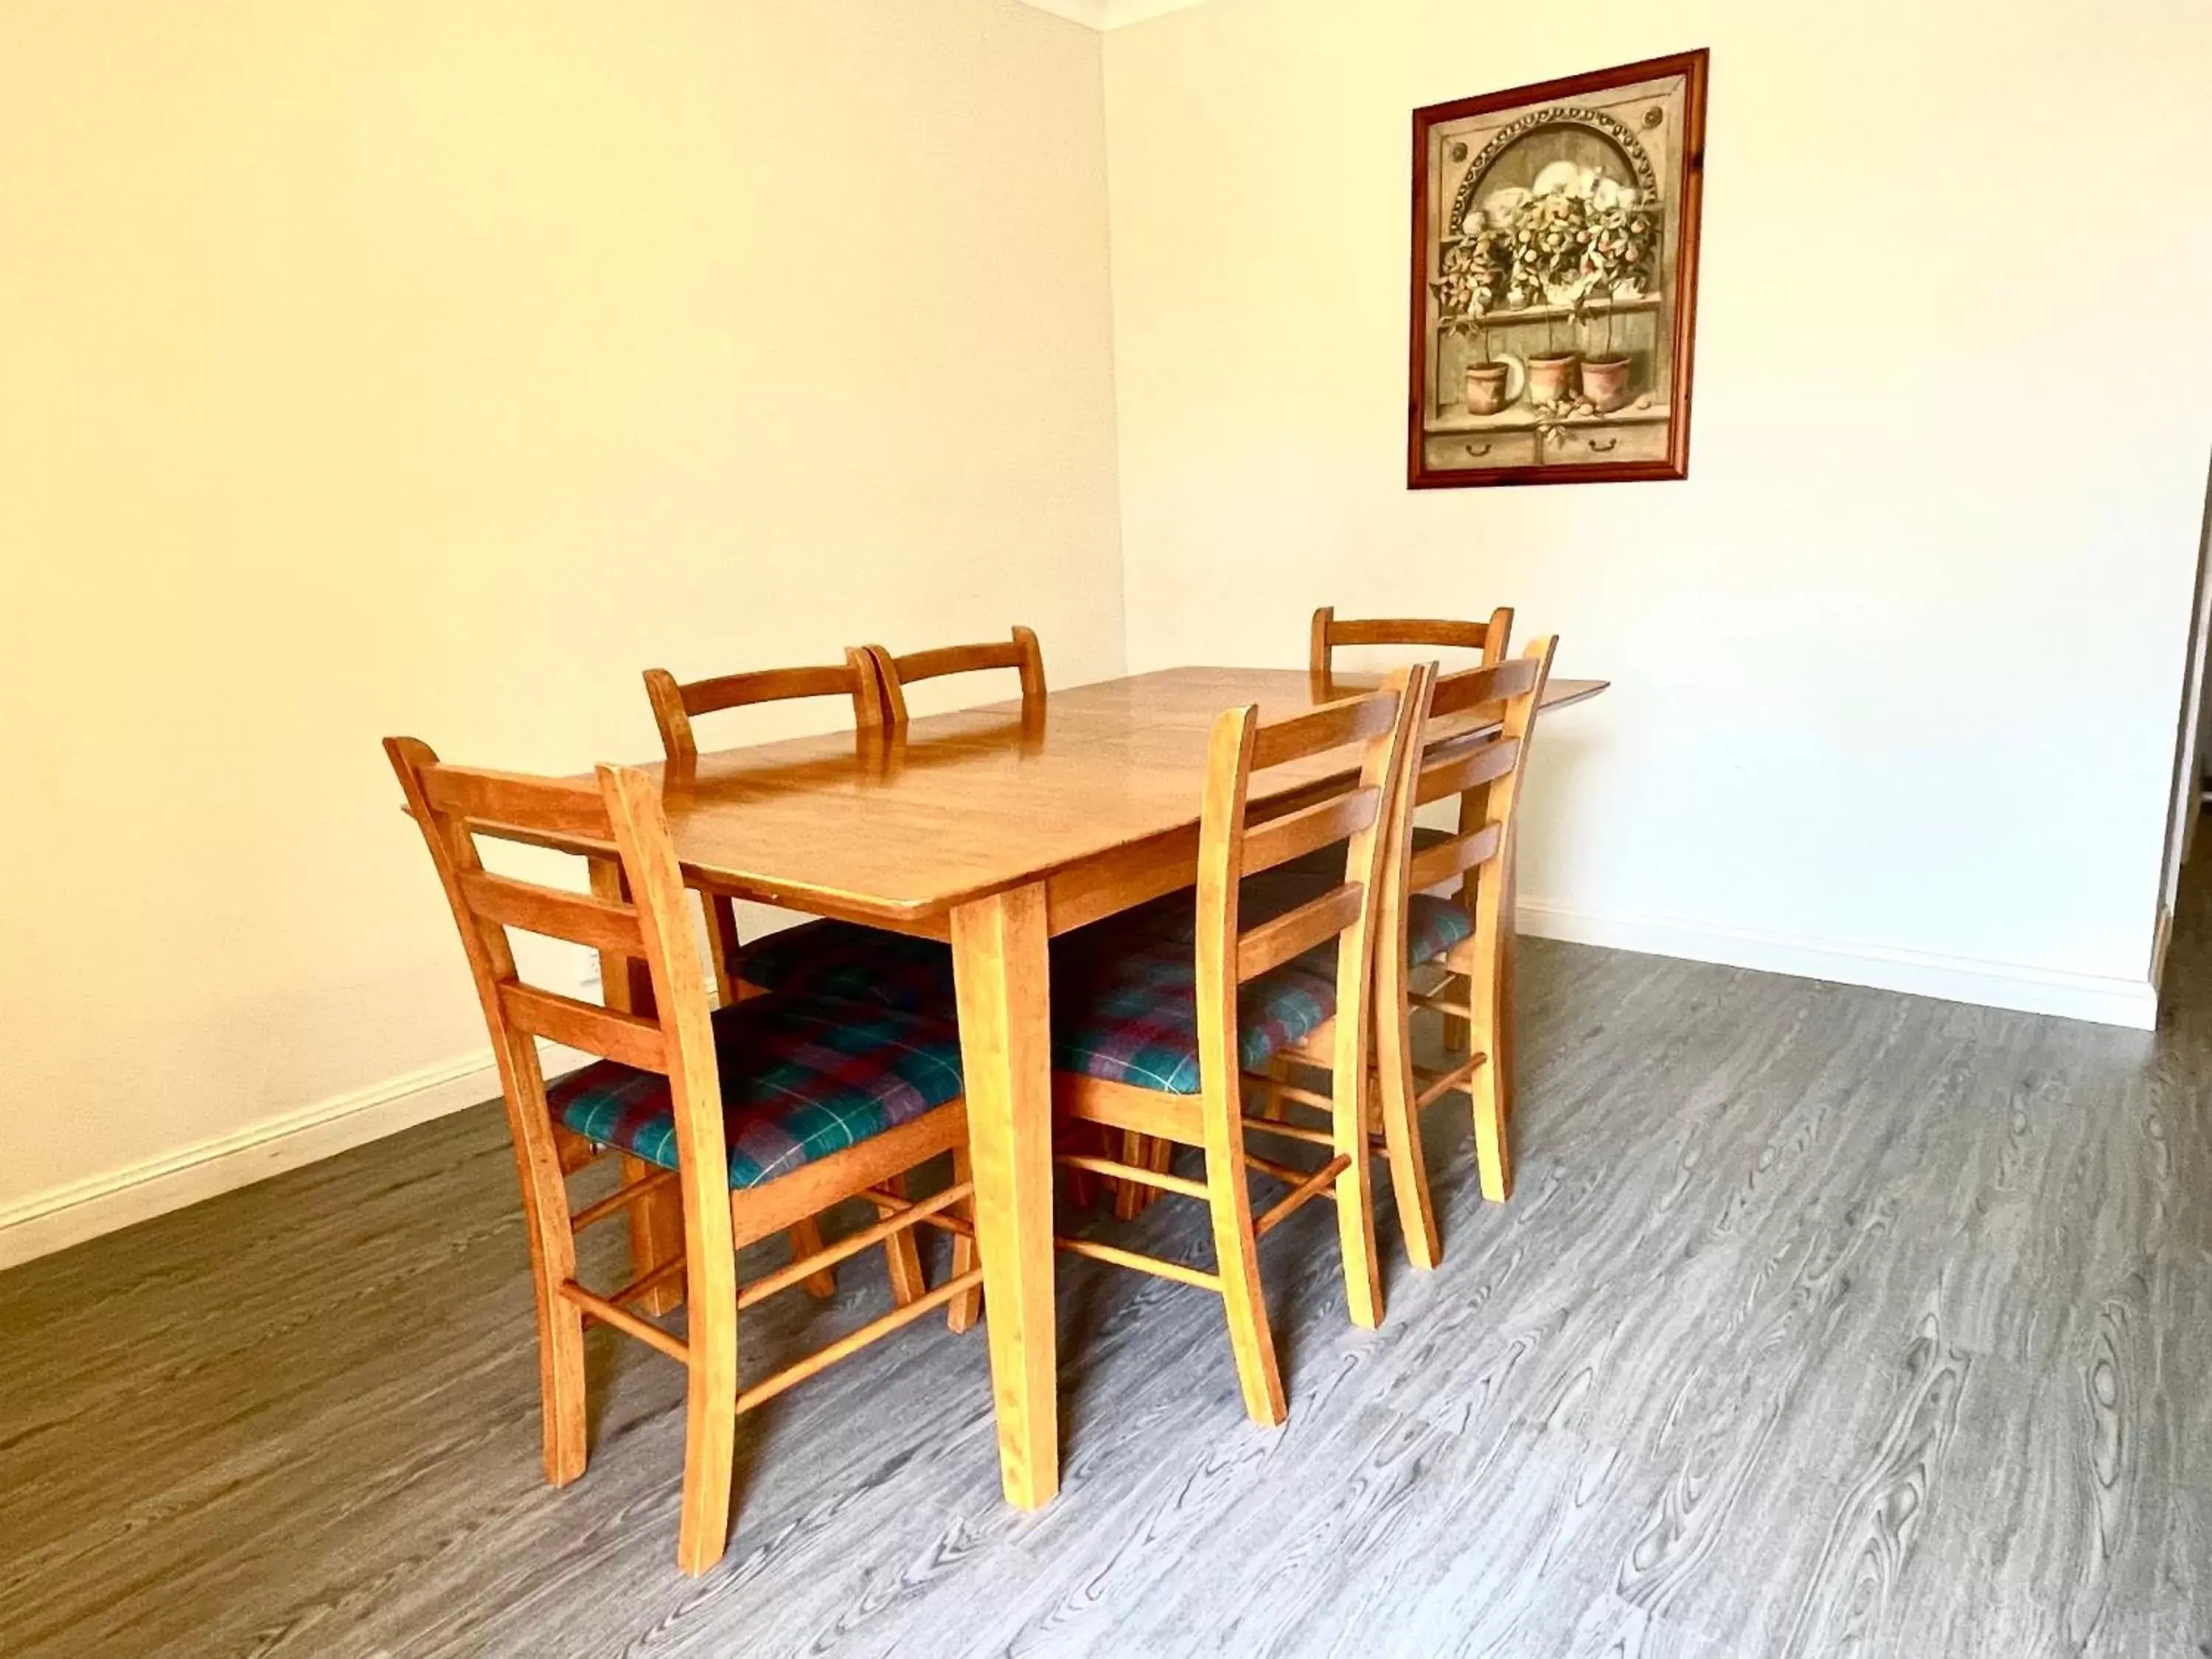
616	822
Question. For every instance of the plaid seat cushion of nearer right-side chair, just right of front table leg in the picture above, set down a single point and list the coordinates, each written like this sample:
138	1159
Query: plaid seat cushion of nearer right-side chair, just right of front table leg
1131	1019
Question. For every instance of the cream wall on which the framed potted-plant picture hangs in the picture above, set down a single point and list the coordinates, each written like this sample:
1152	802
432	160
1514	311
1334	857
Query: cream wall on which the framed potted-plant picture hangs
1899	665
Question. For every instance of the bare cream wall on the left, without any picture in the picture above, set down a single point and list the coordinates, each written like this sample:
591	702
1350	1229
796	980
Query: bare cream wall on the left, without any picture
399	366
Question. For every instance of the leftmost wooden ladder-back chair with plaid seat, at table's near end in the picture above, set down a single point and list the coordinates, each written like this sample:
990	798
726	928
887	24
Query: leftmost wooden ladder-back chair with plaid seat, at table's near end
751	1140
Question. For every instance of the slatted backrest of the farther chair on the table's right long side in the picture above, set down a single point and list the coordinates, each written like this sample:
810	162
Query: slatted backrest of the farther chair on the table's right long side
1485	773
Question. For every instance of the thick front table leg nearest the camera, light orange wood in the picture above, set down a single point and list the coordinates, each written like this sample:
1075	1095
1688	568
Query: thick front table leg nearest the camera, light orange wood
1001	968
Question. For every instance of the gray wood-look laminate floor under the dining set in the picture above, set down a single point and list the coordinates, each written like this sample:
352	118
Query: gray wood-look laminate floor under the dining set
1826	1322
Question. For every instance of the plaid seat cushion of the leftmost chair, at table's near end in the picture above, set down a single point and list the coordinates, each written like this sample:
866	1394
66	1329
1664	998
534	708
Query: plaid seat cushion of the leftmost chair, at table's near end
800	1081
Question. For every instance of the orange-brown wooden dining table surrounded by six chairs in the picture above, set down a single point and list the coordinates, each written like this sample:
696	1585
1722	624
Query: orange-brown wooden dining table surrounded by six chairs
994	831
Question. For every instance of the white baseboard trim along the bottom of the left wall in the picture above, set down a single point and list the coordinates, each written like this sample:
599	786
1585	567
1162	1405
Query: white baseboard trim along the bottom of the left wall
79	1211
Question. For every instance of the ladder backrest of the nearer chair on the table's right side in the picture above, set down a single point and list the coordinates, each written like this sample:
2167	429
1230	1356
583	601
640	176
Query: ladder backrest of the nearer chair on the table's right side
1361	815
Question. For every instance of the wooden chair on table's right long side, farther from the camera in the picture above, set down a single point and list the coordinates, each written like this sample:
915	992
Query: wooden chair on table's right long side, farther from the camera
1463	930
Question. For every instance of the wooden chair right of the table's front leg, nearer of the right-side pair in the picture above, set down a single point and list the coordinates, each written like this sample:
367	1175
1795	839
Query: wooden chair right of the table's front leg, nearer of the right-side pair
1160	1039
